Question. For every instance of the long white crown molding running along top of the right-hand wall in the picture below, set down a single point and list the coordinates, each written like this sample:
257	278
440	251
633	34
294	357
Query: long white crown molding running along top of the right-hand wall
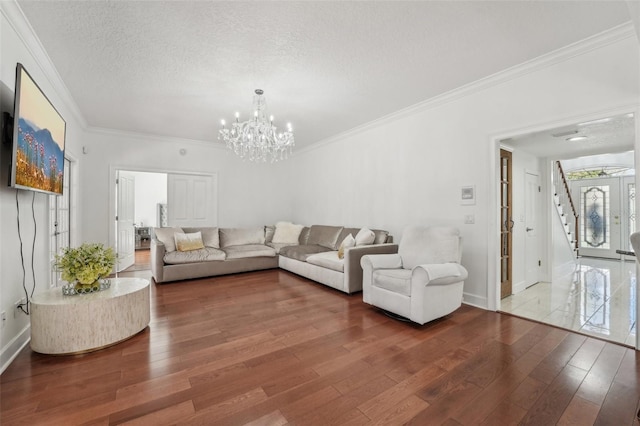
597	41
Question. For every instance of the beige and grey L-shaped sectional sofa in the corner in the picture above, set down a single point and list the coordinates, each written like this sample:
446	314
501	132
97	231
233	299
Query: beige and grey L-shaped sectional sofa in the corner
231	250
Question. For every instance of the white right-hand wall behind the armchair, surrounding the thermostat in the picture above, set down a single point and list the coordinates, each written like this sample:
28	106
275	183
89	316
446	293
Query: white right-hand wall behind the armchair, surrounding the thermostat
408	169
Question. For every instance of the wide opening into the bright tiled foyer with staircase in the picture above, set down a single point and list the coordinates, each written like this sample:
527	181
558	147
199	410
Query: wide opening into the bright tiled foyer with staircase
607	212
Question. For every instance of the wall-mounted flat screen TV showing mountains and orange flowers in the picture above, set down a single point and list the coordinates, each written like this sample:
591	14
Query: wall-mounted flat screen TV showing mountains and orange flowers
38	139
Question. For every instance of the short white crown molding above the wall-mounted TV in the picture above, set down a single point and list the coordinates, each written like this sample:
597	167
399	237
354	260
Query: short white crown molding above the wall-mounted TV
18	21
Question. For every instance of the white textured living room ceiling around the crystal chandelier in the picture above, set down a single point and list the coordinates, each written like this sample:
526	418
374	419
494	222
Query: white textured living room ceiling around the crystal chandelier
175	68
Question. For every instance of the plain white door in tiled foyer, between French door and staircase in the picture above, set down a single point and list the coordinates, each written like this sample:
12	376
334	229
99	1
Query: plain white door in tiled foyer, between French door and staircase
532	231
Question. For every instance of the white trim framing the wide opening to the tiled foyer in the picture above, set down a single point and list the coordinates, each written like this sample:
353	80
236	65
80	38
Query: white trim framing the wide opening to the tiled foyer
493	207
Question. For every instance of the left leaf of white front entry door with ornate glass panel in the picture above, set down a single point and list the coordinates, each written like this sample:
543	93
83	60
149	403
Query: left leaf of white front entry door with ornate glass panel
600	216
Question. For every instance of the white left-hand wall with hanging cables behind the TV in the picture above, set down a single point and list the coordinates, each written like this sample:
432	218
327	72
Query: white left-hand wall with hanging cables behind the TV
14	38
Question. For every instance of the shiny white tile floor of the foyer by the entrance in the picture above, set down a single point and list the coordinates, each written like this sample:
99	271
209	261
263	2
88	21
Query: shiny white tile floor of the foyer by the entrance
597	299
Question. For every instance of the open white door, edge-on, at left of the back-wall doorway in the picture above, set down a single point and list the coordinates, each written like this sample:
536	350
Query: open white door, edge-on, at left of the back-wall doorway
125	215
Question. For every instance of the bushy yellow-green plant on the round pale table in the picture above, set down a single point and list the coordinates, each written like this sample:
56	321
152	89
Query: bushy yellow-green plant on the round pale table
85	264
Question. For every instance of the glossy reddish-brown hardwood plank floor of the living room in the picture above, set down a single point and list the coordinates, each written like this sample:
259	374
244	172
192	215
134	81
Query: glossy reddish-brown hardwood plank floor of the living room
271	348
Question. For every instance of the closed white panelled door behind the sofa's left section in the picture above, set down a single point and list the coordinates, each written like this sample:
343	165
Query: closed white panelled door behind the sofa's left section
191	200
